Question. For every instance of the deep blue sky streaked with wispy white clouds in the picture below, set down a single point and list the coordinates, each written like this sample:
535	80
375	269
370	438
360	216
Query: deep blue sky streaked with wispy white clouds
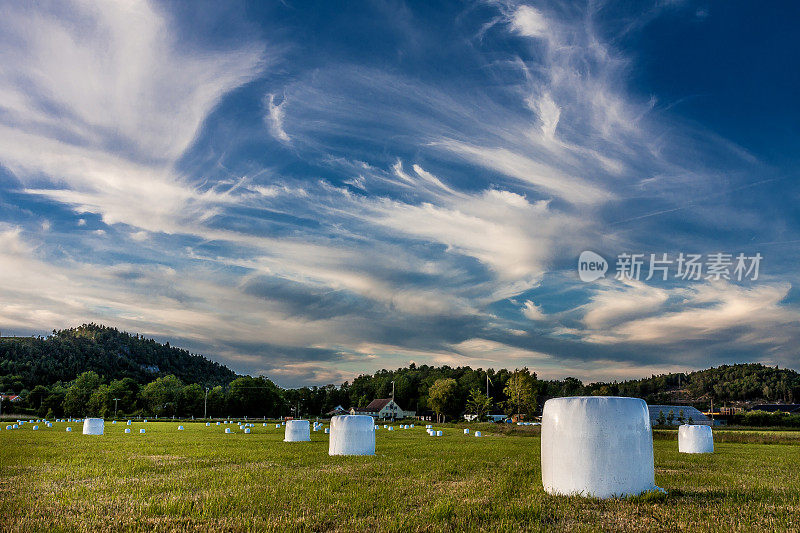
315	190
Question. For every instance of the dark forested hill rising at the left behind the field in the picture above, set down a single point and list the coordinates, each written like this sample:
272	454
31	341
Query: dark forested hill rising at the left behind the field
26	362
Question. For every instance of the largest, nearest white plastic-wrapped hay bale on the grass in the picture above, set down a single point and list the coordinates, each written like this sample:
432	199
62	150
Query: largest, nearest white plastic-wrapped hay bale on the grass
597	446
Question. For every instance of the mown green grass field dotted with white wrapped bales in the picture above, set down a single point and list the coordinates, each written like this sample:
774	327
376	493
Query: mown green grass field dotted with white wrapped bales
203	479
